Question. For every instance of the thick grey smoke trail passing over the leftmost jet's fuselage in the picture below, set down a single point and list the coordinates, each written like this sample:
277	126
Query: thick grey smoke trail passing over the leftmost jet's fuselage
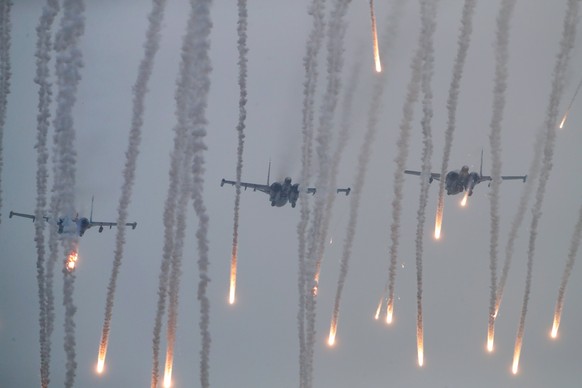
68	66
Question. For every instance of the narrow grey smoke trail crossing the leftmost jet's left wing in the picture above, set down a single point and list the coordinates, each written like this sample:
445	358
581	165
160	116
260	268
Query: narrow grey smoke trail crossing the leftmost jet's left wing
43	49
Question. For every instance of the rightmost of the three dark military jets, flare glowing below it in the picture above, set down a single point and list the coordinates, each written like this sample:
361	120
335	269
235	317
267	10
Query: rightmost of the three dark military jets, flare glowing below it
458	181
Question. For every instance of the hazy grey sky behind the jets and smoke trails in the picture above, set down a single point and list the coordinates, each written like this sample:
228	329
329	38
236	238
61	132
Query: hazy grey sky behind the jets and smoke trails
255	342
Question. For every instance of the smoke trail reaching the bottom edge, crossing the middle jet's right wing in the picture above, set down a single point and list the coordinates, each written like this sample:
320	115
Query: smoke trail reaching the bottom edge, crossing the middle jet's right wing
316	9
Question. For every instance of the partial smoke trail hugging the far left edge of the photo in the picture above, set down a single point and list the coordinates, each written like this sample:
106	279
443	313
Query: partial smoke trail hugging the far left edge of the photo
5	42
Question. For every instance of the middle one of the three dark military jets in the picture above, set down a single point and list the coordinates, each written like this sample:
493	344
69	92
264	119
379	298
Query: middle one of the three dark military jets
279	192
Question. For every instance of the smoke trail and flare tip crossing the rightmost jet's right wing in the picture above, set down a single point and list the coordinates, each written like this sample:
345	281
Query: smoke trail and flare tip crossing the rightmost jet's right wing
500	85
